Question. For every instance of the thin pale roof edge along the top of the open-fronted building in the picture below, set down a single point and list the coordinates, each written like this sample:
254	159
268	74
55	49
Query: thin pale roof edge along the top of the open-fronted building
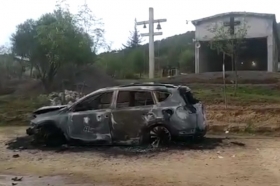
253	14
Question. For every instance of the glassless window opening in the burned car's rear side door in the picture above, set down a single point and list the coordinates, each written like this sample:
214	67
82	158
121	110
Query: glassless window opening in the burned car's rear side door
134	99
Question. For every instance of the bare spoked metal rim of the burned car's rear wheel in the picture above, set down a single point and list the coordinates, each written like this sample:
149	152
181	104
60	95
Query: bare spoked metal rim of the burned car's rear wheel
159	135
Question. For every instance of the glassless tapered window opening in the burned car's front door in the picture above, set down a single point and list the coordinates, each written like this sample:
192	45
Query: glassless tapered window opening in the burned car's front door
101	101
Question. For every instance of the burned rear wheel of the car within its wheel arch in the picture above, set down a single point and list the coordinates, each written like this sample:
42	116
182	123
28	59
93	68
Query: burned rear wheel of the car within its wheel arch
157	135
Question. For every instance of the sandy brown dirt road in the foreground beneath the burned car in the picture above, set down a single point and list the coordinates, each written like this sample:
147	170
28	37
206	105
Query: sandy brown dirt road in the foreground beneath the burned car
242	161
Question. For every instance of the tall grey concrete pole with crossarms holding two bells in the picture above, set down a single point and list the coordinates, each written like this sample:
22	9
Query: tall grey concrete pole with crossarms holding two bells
151	35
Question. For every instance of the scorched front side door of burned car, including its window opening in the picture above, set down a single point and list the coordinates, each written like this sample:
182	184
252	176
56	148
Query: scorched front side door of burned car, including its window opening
89	119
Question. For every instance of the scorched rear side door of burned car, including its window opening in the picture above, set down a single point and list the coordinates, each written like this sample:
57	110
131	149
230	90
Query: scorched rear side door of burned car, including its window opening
128	115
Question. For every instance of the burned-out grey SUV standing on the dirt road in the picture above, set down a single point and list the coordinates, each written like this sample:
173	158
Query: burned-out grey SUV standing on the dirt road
139	113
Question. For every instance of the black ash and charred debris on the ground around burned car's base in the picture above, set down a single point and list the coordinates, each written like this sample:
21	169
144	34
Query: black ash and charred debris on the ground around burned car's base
25	143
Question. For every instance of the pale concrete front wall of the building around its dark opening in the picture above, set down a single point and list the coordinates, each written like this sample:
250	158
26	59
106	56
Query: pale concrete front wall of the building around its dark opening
257	27
